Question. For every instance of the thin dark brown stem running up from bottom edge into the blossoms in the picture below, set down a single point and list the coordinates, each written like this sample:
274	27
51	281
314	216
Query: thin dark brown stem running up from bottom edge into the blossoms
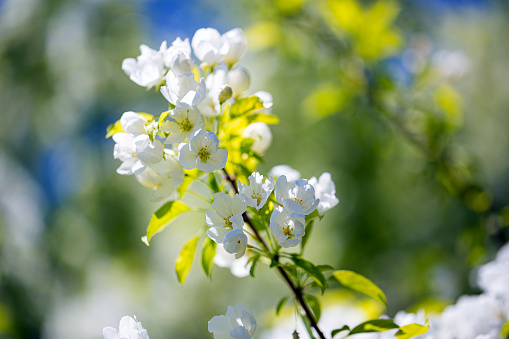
296	291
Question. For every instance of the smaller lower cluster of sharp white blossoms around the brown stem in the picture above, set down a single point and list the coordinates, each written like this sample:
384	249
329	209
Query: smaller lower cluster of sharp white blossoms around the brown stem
287	222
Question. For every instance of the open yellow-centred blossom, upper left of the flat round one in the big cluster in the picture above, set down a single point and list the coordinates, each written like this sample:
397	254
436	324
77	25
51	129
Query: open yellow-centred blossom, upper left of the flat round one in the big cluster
182	122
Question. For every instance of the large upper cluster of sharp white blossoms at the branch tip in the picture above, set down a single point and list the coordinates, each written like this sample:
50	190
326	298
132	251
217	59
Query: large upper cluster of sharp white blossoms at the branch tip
156	152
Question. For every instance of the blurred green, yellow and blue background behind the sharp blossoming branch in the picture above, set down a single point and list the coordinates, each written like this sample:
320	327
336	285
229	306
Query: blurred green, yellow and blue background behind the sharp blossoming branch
405	103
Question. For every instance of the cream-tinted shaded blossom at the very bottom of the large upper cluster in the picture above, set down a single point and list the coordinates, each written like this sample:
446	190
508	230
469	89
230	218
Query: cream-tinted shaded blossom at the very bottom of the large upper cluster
163	178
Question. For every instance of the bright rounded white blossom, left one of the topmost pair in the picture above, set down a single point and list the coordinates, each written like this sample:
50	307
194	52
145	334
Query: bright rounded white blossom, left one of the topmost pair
208	45
